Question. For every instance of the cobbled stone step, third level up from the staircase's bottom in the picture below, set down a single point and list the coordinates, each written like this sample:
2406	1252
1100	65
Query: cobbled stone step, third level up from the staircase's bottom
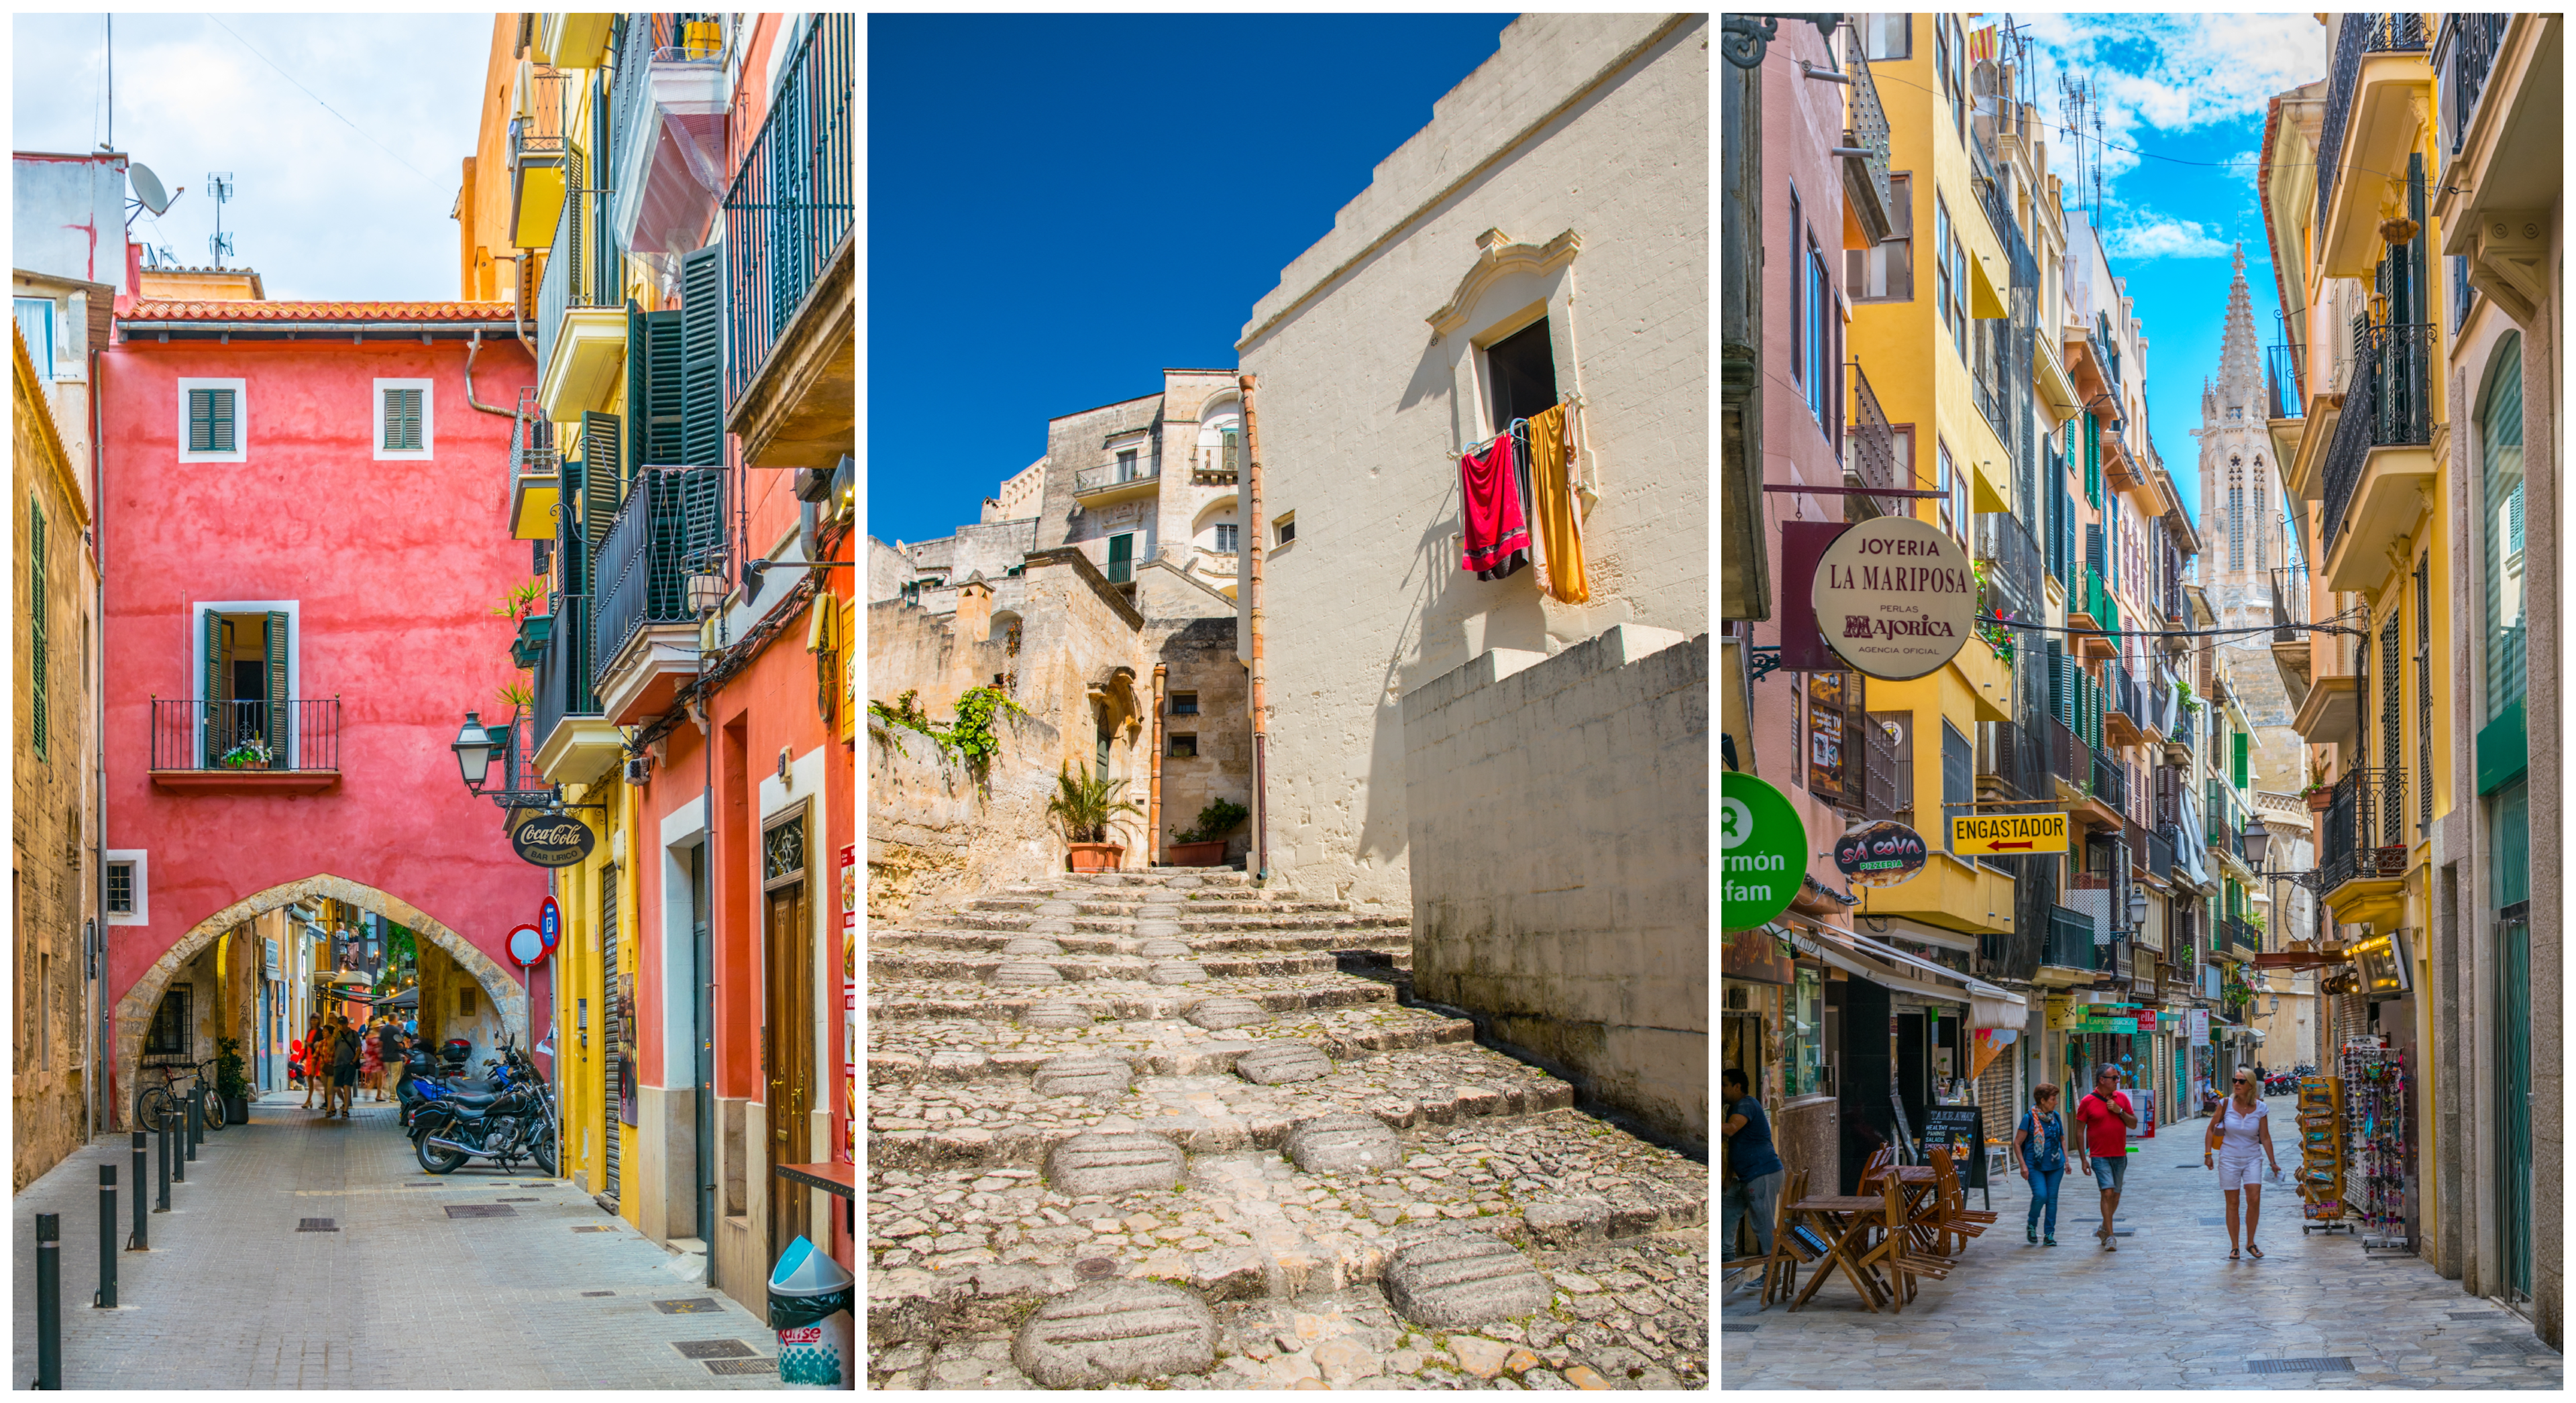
1021	1113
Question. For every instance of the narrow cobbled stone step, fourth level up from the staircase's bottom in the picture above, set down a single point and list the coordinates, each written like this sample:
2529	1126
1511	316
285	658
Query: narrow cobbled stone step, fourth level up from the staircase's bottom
972	1049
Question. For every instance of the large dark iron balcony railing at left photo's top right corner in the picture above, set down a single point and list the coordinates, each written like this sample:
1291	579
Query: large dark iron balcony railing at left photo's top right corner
792	200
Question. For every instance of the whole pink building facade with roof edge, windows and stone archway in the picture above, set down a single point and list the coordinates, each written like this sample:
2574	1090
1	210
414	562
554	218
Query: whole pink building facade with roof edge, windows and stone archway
300	614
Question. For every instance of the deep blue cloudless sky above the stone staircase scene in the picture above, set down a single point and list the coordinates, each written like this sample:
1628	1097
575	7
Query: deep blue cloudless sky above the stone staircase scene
1065	205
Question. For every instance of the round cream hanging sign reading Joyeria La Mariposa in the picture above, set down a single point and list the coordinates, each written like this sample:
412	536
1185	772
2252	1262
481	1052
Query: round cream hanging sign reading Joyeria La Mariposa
1895	599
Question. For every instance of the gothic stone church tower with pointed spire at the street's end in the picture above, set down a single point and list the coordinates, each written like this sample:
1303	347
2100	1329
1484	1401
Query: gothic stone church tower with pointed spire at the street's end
2245	537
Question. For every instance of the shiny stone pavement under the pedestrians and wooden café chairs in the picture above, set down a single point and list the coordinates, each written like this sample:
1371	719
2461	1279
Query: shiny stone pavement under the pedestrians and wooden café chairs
2165	1312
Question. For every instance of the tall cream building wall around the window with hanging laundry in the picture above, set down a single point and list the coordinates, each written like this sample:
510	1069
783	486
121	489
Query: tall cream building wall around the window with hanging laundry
1578	125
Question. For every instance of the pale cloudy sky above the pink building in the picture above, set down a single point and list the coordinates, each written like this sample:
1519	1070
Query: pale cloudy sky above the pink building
326	207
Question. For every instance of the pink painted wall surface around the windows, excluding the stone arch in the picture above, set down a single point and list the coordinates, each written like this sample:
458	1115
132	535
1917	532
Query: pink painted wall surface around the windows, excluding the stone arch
395	568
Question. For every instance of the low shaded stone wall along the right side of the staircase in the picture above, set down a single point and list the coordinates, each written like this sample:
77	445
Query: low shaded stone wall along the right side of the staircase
1560	861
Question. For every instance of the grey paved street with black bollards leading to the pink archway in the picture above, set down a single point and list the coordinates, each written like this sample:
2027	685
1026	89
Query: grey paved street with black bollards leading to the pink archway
403	1296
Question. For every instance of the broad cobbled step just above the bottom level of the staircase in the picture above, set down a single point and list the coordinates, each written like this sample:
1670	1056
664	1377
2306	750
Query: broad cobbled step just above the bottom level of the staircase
962	1252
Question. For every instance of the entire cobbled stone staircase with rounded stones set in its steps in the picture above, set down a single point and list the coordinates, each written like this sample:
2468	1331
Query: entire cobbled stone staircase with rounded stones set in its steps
1173	1129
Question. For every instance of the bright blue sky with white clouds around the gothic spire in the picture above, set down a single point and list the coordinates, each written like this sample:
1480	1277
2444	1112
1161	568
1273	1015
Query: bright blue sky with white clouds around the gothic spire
2188	94
